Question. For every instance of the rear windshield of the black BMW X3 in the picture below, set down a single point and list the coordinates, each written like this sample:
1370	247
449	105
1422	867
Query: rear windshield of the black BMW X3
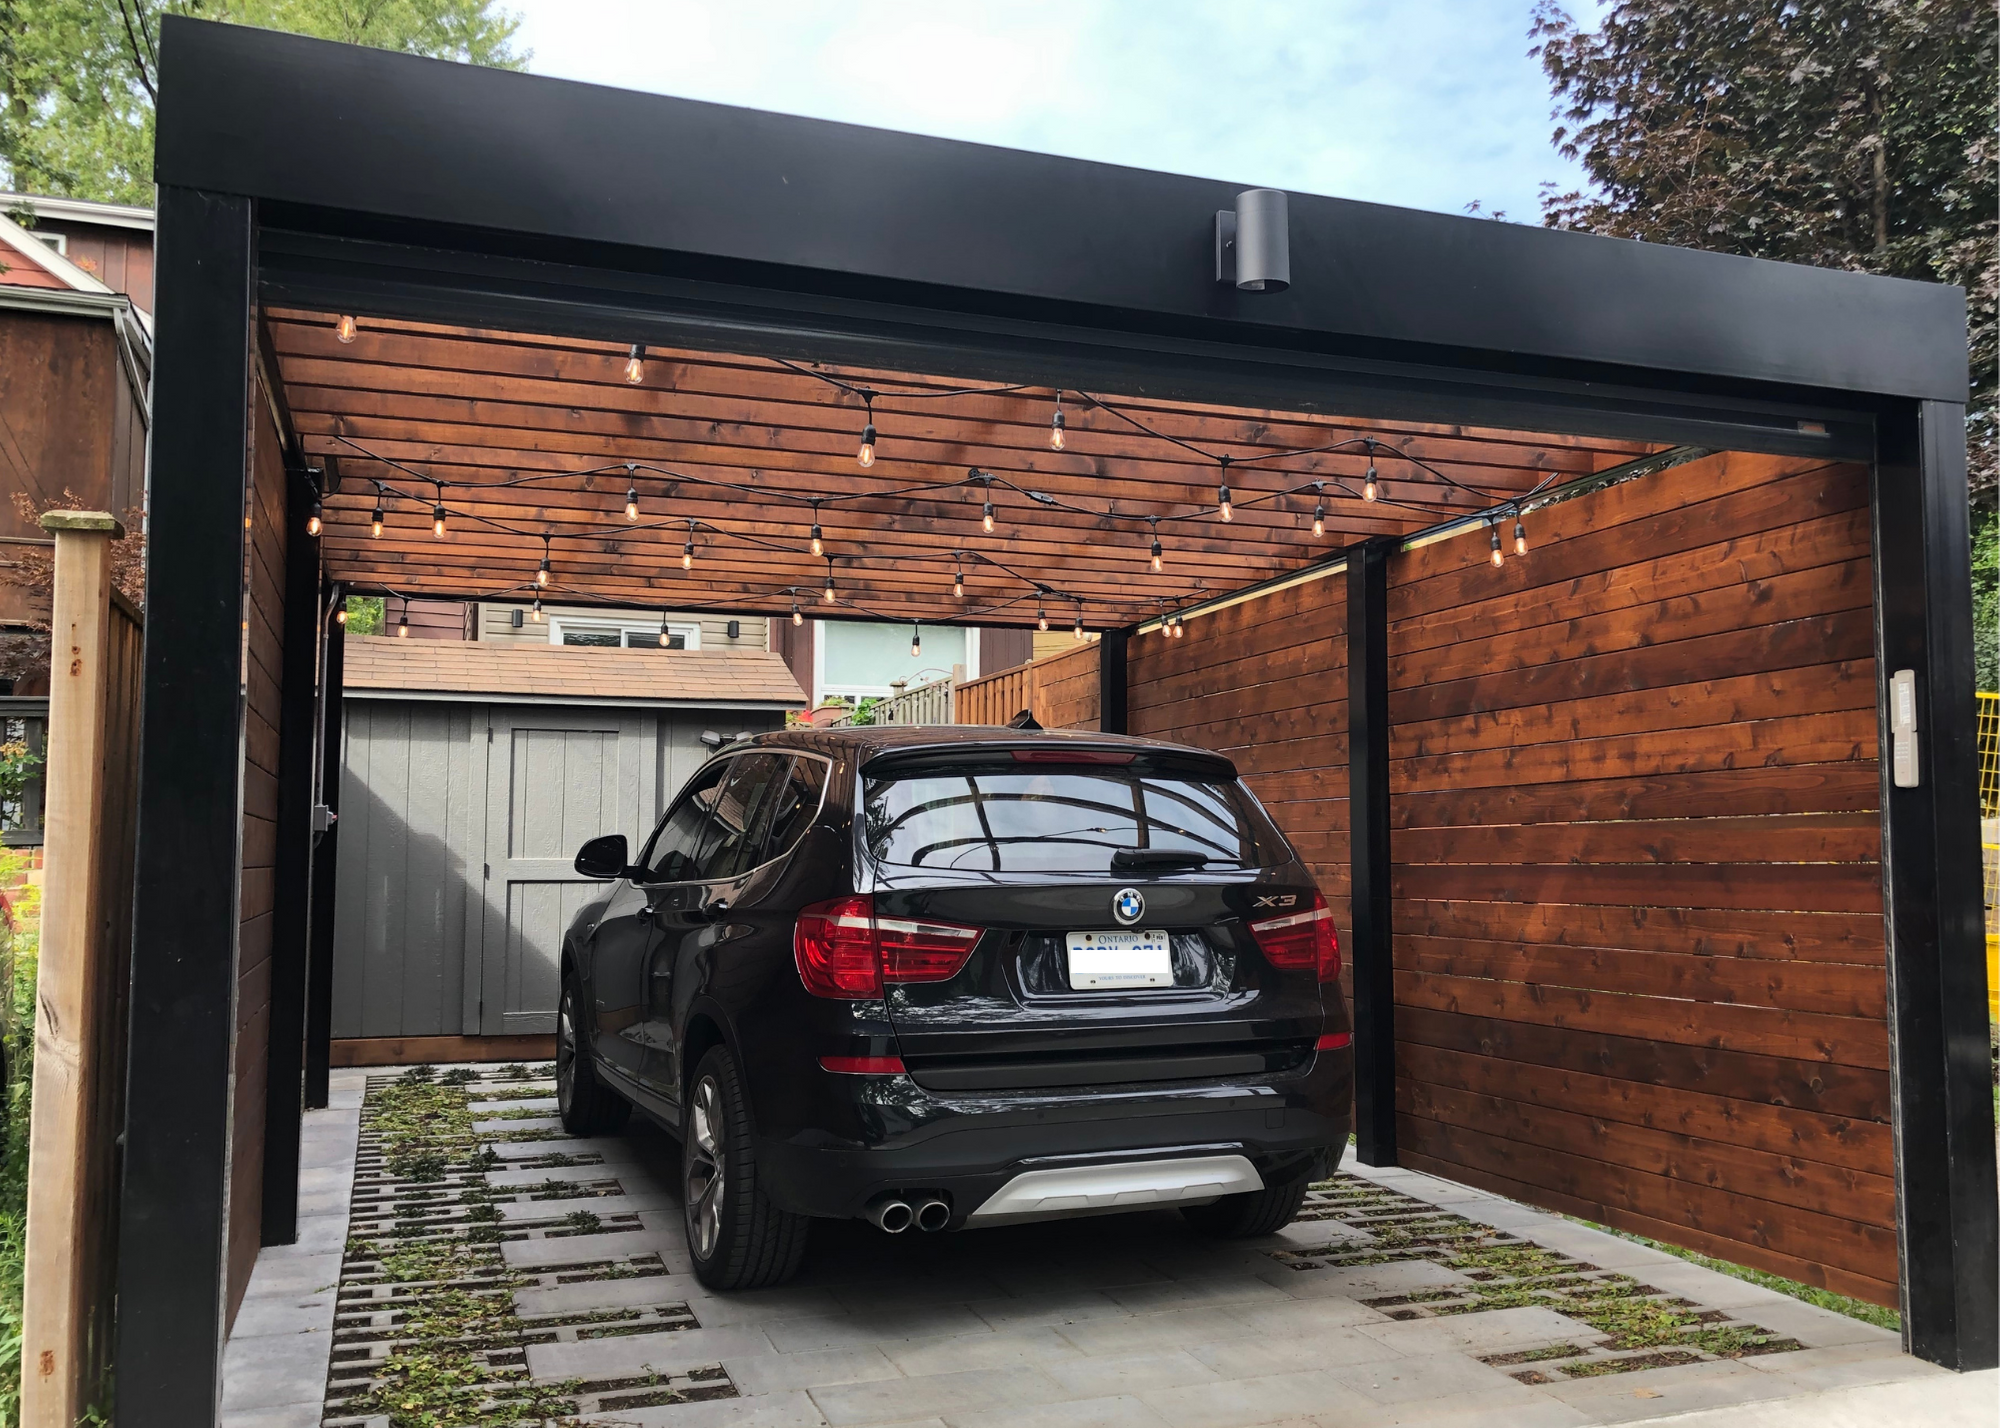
1011	819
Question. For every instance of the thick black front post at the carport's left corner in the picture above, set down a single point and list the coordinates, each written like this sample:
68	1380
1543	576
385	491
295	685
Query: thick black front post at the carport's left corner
187	893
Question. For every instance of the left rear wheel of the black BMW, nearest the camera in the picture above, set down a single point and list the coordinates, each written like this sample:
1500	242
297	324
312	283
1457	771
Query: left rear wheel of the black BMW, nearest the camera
737	1237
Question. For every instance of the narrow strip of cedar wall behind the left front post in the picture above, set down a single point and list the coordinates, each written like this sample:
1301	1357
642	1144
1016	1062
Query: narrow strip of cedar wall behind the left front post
263	661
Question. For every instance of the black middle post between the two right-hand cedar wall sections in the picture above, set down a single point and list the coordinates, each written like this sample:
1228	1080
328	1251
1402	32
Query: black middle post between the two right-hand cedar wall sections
1371	949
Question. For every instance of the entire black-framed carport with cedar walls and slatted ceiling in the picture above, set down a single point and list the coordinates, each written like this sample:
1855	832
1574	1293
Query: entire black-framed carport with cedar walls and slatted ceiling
1549	589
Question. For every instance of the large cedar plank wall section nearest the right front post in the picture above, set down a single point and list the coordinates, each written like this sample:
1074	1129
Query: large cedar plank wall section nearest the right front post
1639	905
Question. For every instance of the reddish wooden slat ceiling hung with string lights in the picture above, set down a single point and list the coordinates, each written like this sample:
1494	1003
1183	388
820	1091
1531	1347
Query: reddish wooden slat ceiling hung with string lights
531	439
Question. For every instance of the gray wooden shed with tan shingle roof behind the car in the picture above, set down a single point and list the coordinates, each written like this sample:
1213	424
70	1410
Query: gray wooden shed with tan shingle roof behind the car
471	773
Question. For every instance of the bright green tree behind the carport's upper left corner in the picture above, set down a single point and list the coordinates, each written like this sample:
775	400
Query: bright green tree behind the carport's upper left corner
79	79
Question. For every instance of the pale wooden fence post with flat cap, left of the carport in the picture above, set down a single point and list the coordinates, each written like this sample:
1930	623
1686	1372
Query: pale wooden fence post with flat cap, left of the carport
83	981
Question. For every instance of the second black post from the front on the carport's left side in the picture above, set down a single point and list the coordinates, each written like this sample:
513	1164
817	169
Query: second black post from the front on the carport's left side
293	873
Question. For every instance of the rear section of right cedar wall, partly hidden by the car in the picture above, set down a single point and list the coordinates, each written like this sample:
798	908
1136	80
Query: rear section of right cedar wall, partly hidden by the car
1265	683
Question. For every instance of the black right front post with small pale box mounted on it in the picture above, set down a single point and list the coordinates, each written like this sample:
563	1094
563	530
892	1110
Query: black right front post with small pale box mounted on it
1933	907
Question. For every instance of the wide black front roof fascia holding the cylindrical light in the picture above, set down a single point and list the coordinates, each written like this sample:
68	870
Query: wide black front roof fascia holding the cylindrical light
899	217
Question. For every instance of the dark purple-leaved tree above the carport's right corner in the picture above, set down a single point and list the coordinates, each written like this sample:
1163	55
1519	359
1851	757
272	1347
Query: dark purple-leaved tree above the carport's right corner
1835	133
